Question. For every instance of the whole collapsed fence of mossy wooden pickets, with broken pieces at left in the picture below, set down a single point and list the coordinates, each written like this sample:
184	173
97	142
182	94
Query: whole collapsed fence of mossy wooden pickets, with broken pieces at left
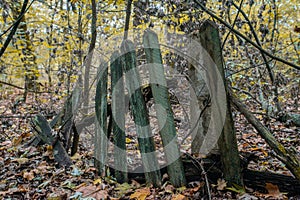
109	119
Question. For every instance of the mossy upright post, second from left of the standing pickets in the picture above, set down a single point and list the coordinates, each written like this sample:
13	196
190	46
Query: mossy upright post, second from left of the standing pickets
118	118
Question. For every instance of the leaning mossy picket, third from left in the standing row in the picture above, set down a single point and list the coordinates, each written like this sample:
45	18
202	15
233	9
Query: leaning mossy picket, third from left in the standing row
140	115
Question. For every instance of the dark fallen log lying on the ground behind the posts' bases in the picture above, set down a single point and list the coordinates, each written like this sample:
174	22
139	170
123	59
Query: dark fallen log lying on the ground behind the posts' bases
255	180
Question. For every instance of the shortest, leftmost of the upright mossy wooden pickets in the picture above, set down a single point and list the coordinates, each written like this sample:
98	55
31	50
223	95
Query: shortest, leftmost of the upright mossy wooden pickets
101	120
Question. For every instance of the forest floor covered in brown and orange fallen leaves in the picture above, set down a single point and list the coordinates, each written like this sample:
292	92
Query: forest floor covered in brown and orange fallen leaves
31	172
